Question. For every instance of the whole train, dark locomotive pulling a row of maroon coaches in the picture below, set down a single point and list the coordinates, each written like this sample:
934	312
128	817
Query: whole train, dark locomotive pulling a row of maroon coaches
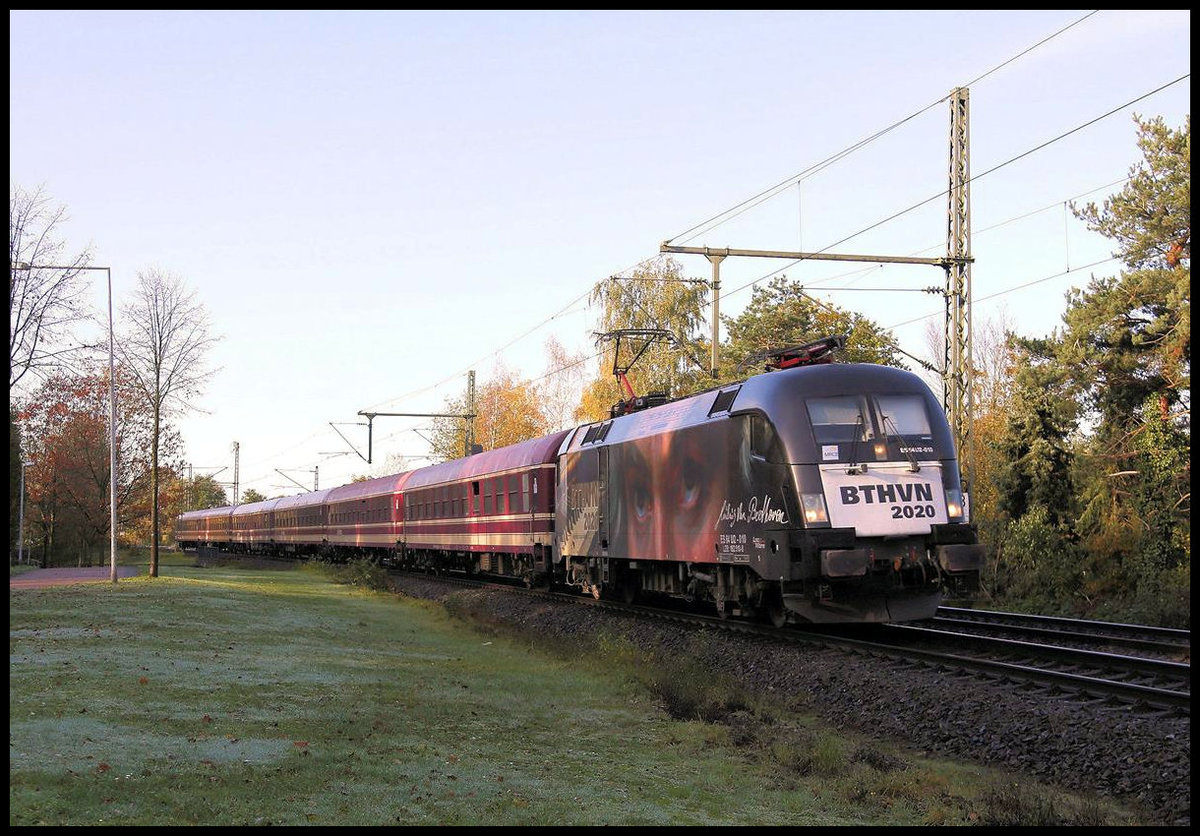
814	492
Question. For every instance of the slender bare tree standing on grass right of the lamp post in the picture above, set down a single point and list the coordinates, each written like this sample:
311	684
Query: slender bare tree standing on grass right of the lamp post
165	348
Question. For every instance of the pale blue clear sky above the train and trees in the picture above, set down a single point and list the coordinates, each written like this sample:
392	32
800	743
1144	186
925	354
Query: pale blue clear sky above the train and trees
373	205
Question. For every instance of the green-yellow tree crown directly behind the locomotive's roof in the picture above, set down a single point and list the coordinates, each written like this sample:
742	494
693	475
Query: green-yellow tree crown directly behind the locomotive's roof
782	315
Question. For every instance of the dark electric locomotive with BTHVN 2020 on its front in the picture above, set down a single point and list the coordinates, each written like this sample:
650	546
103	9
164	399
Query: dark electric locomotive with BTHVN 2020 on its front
819	494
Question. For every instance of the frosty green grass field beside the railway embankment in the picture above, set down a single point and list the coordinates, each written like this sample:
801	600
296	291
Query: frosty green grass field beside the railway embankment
227	696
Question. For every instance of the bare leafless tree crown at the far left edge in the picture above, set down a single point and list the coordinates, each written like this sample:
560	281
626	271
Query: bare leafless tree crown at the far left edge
44	304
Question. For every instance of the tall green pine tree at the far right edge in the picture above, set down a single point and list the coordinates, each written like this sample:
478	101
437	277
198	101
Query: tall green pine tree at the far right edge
1127	347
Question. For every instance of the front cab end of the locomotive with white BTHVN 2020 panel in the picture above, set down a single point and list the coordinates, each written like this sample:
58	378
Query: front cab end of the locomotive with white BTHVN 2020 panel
881	528
